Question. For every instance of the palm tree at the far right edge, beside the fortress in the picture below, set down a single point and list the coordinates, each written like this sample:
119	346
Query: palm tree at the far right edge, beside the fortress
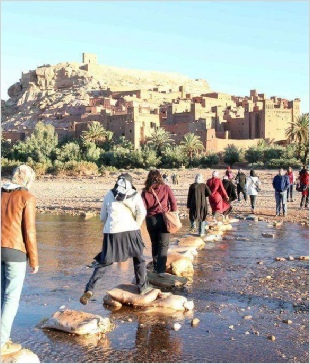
298	132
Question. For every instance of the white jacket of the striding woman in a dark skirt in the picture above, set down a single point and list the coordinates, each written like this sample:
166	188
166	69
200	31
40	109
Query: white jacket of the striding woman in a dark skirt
121	216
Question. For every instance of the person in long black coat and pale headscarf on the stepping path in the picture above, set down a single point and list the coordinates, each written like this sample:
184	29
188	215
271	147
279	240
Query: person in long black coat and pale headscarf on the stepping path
197	204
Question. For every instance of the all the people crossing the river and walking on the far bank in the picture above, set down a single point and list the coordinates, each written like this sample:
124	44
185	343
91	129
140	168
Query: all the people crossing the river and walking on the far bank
123	211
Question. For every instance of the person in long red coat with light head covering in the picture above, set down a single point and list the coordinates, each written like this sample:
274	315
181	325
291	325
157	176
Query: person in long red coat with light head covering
219	200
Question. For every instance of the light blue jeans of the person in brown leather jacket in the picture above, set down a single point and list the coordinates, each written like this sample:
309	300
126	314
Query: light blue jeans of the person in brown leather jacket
12	280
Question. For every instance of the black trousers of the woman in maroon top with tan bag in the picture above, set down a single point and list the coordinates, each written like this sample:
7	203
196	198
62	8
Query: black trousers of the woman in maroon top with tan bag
160	241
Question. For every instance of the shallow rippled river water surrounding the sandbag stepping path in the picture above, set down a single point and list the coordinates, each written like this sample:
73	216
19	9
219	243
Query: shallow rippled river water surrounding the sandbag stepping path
228	283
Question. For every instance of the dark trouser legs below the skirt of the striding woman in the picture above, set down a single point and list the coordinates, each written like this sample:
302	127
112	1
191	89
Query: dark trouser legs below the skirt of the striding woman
99	272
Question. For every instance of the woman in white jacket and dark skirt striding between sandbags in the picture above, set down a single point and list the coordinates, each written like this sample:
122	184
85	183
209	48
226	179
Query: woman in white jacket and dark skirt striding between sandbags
122	213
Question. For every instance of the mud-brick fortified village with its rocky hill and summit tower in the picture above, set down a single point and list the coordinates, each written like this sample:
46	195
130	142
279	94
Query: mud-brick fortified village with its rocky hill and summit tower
133	104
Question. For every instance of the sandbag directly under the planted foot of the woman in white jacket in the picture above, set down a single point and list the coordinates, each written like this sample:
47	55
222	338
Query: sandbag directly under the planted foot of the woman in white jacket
128	294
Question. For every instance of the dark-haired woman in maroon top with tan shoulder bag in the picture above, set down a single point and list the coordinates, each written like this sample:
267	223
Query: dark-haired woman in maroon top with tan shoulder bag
156	190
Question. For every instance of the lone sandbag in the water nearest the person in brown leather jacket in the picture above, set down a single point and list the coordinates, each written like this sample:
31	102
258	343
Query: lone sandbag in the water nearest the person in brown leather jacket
78	322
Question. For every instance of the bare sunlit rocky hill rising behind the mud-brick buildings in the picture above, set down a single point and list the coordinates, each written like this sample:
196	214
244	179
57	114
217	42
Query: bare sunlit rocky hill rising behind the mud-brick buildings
65	88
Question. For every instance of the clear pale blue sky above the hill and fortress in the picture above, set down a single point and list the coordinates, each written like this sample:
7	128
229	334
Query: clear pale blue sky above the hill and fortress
234	45
